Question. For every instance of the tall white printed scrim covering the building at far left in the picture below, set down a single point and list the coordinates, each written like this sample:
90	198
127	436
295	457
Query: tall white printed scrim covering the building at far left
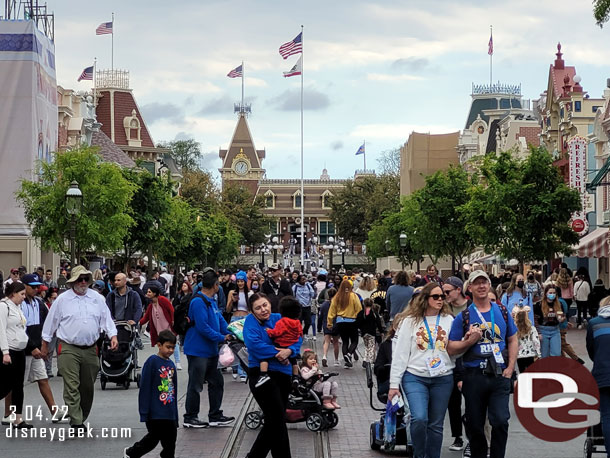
28	113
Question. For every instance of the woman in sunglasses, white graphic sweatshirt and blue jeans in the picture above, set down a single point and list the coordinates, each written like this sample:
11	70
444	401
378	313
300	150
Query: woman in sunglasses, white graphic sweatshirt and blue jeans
423	369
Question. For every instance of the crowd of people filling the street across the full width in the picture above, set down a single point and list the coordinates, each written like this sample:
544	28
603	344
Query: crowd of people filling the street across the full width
431	341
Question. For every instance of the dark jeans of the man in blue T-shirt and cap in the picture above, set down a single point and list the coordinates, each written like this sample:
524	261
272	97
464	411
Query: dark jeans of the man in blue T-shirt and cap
486	396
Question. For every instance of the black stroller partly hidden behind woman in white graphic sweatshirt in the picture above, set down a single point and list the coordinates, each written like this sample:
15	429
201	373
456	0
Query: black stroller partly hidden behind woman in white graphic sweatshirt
378	427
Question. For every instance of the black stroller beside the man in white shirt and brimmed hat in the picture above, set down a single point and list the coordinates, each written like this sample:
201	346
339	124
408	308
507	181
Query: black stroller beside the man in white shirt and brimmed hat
120	366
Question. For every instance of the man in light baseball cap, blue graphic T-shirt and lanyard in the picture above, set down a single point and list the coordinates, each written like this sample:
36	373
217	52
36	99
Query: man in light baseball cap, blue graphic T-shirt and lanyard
486	337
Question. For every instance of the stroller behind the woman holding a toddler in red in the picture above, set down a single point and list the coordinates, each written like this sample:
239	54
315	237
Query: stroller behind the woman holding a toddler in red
304	404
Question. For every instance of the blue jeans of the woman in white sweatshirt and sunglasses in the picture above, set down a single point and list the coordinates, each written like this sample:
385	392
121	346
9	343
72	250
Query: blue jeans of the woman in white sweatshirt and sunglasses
428	399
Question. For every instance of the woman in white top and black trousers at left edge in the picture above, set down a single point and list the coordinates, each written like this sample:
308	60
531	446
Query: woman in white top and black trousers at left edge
13	340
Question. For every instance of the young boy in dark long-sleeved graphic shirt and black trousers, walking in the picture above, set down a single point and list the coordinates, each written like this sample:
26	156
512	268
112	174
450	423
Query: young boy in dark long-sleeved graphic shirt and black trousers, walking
157	401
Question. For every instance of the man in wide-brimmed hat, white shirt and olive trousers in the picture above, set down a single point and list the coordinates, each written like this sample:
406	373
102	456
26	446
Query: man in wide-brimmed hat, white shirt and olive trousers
77	316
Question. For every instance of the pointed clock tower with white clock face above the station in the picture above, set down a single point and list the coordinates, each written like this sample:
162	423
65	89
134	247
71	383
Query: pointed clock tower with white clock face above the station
242	162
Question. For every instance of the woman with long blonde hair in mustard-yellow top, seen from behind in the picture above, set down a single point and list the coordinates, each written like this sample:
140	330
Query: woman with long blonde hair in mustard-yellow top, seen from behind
344	309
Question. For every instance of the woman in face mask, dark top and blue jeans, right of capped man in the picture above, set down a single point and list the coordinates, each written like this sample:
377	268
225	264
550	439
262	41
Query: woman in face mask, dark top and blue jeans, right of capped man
549	315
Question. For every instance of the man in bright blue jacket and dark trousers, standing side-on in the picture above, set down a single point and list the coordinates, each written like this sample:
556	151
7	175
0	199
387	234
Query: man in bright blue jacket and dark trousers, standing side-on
201	348
